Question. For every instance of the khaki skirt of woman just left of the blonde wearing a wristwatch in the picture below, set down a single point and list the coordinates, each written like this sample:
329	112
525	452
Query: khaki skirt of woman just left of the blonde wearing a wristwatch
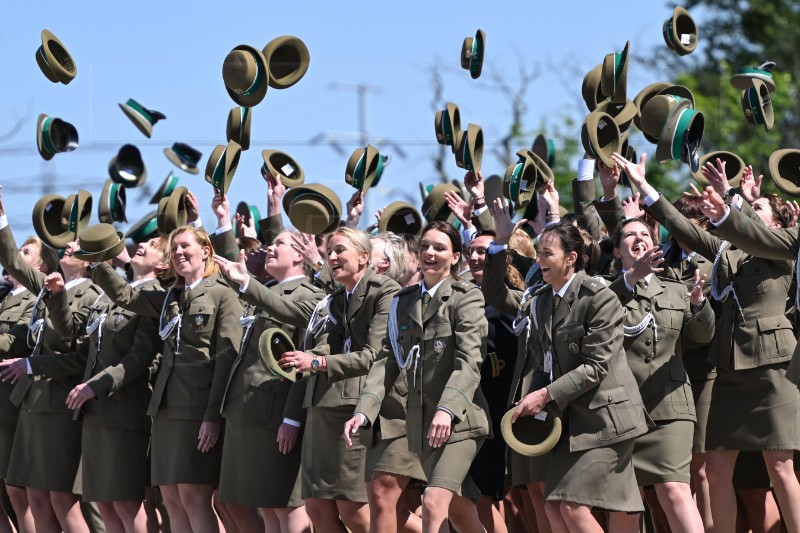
254	472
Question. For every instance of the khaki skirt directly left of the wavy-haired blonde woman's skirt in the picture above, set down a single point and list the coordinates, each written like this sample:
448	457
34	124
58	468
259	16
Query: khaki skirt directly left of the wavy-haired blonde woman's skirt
114	464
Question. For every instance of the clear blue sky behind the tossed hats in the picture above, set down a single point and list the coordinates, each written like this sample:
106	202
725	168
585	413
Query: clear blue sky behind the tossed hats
168	56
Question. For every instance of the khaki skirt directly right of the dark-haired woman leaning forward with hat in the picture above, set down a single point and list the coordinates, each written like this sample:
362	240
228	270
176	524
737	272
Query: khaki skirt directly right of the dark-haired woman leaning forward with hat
663	454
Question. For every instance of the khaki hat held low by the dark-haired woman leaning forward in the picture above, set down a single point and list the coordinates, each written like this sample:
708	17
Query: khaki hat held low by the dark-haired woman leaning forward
530	436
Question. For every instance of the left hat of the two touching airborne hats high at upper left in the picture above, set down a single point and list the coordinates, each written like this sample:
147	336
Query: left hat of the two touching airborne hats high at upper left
245	74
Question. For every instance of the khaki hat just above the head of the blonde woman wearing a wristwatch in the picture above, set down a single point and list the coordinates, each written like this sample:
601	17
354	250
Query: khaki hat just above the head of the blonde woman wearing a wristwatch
313	208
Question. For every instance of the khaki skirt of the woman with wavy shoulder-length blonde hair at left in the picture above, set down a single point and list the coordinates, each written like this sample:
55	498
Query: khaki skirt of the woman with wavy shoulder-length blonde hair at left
174	457
